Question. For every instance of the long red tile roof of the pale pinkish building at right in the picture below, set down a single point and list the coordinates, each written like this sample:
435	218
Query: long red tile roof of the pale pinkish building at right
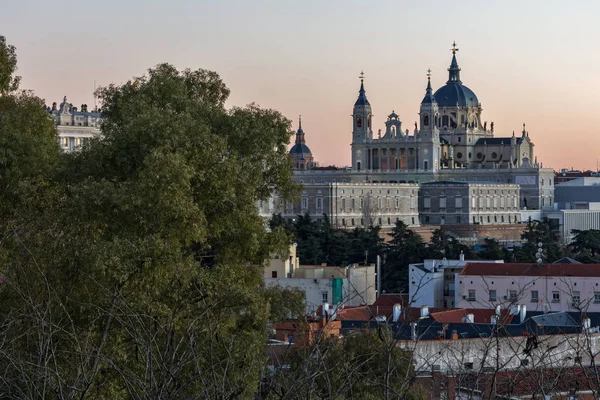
514	269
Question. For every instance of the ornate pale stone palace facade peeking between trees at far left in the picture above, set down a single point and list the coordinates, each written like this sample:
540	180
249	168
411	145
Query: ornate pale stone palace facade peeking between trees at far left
75	126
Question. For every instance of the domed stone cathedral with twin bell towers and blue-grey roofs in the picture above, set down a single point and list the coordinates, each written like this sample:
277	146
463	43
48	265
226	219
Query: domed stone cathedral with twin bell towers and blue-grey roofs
449	142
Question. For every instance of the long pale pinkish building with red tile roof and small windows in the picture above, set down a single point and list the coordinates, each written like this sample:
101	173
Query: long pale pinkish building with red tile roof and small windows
546	287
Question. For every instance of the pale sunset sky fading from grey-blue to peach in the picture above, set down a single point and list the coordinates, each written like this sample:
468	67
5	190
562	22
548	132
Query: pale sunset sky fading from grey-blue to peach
533	62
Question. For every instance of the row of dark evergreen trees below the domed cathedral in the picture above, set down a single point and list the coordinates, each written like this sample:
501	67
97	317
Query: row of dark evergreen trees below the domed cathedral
321	243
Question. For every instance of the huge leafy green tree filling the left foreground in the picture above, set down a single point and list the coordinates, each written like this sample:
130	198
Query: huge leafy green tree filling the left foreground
134	276
